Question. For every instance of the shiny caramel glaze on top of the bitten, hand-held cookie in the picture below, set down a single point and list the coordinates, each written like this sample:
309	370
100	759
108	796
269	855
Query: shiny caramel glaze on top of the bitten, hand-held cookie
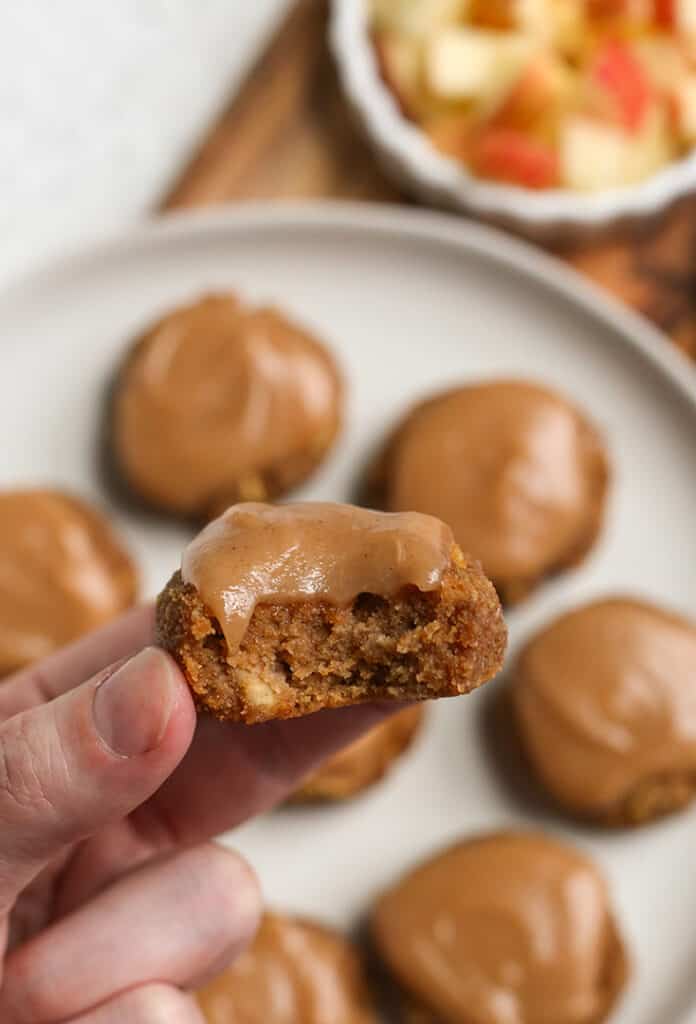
311	551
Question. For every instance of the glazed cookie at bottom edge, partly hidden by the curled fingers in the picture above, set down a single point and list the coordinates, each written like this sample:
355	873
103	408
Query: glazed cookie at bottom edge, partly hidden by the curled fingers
296	972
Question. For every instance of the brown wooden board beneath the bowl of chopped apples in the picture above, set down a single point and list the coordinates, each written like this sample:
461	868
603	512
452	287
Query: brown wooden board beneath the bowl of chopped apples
289	134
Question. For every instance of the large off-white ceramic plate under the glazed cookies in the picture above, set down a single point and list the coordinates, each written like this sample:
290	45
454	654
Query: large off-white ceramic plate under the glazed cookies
409	303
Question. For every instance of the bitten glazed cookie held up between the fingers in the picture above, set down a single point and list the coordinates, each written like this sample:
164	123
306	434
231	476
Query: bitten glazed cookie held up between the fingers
282	611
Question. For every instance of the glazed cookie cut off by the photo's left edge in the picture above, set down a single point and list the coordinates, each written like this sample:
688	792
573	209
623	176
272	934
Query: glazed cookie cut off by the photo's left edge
63	573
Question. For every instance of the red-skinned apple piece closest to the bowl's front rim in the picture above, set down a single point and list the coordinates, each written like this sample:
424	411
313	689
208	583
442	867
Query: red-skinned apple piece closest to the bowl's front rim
510	156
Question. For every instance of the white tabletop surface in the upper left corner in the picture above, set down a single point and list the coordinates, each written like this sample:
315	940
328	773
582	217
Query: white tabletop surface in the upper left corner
101	105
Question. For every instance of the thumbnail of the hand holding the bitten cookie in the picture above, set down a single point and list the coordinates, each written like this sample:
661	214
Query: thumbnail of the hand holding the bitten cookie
133	708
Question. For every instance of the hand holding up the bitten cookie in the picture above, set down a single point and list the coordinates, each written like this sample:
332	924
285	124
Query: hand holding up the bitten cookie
113	903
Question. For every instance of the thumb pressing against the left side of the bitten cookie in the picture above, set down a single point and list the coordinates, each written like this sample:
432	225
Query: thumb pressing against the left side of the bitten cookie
88	759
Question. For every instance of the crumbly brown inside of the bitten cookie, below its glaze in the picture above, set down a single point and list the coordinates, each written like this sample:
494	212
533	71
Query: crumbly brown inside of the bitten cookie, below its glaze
299	658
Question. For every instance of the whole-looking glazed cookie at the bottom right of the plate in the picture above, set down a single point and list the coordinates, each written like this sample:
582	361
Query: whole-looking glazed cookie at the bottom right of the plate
506	927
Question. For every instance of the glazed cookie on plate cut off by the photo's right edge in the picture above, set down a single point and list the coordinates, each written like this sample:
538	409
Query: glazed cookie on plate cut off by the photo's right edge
604	700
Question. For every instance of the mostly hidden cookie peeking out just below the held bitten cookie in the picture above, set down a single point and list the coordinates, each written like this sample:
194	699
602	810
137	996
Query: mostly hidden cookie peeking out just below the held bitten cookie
366	761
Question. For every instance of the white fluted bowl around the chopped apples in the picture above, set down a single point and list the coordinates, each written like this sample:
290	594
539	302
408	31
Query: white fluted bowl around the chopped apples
414	162
